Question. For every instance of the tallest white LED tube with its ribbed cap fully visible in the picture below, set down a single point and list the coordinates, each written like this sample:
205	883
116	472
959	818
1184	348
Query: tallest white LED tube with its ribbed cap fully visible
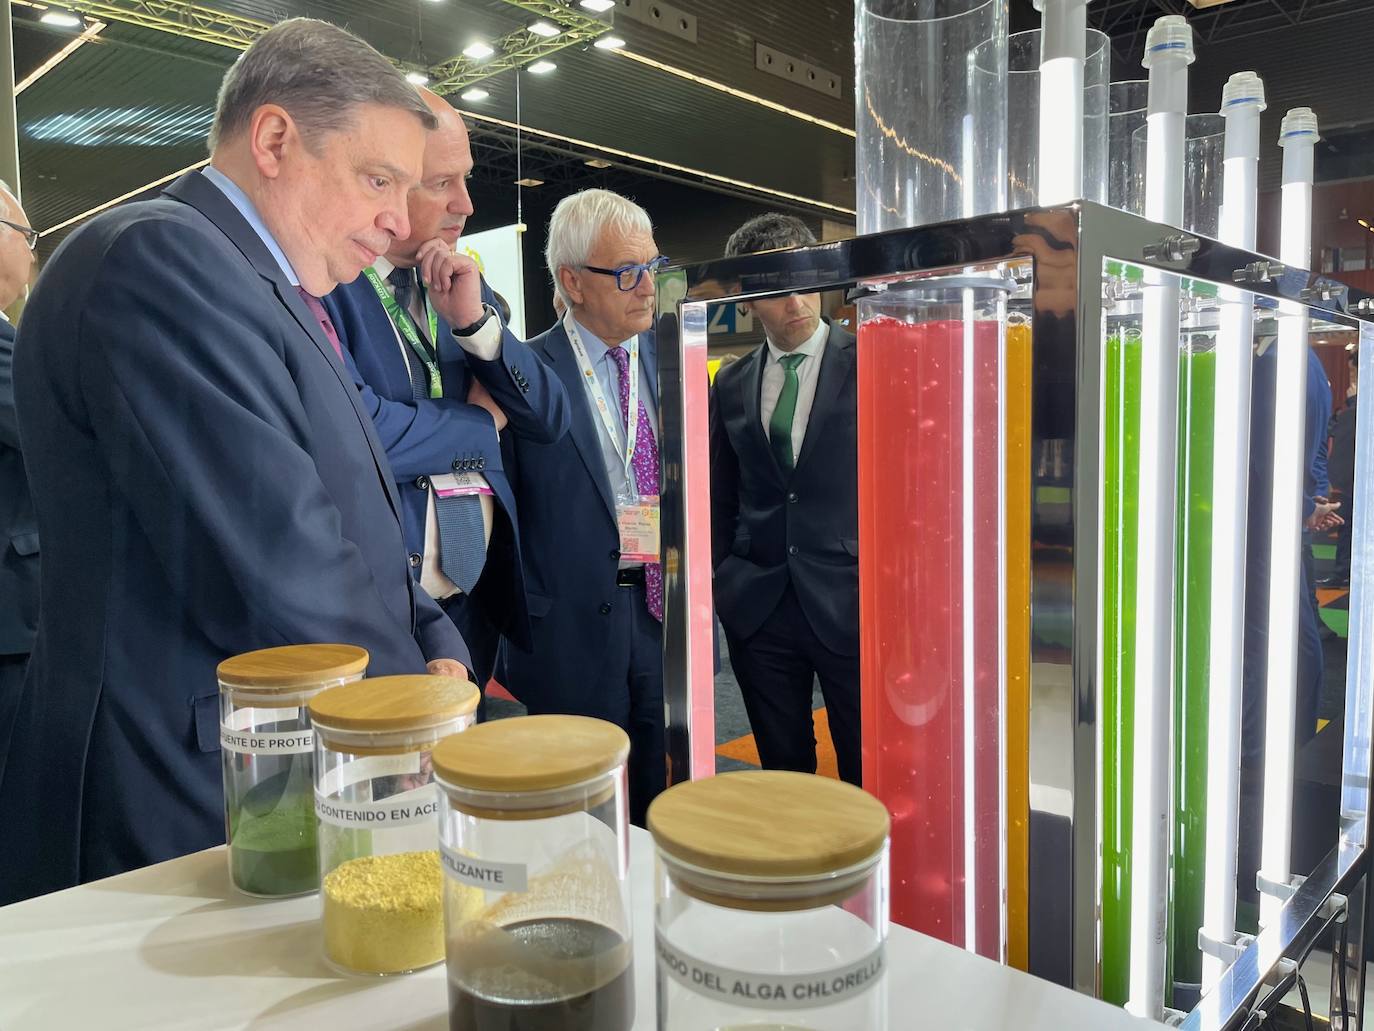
1167	56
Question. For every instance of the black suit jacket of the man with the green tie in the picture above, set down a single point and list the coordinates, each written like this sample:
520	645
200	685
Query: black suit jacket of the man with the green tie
770	529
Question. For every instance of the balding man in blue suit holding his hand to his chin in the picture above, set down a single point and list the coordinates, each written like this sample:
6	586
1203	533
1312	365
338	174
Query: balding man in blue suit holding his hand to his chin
443	379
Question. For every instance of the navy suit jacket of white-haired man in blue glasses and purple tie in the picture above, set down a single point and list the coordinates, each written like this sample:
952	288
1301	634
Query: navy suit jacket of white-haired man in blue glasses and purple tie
572	549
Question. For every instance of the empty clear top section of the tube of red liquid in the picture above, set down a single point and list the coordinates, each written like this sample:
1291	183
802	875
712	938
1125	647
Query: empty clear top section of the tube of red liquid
931	126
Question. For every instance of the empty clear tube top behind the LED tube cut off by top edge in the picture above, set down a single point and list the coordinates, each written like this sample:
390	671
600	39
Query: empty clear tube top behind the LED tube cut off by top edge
1023	58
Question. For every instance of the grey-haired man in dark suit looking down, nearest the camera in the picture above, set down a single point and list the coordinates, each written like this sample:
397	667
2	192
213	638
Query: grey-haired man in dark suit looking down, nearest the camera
205	476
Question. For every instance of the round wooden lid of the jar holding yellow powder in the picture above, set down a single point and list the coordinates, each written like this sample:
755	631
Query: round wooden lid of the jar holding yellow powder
395	703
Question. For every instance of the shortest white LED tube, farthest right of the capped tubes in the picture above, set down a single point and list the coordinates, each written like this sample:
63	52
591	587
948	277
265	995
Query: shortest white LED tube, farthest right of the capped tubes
1298	138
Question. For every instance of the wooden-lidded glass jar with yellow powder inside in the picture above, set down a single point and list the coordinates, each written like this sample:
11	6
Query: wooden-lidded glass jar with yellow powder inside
377	805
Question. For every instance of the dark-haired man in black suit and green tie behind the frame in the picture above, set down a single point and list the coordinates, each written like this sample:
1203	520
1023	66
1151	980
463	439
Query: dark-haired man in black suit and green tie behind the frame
785	519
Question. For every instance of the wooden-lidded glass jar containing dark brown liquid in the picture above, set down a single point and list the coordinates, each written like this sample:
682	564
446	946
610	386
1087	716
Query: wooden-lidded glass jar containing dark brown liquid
537	891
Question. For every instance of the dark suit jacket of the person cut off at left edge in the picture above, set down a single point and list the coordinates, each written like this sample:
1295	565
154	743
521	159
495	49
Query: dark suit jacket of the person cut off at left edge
19	529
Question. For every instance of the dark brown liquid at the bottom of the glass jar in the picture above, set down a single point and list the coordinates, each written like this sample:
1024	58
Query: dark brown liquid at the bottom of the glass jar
501	996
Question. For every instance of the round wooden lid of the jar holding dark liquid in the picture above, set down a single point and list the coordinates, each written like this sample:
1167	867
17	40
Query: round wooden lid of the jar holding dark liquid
531	754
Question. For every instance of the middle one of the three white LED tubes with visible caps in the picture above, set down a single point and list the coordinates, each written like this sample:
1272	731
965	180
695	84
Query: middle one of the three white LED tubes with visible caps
1243	100
